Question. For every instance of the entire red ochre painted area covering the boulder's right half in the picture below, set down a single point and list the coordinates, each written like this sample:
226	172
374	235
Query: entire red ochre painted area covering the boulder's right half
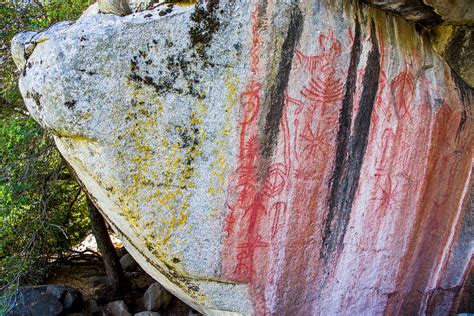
359	193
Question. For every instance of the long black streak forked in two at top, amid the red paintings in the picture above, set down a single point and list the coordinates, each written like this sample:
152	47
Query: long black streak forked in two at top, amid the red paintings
350	148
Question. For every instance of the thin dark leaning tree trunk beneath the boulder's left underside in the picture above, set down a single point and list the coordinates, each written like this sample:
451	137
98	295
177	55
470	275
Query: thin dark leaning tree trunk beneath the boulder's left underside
113	268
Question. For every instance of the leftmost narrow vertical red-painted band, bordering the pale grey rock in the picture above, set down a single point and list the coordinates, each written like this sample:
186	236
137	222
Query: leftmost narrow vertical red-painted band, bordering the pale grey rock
247	208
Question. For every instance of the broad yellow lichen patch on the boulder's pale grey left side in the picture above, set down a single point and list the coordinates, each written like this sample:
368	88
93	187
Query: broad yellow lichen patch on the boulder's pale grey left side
161	160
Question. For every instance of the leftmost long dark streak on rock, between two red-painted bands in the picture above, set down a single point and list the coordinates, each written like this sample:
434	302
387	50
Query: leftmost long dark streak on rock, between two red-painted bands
275	98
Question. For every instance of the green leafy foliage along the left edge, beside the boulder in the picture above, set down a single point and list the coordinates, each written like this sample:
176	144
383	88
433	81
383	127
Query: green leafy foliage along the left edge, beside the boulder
42	209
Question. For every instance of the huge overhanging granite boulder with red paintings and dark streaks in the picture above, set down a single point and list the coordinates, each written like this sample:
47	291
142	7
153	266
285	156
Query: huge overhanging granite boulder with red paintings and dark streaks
268	157
